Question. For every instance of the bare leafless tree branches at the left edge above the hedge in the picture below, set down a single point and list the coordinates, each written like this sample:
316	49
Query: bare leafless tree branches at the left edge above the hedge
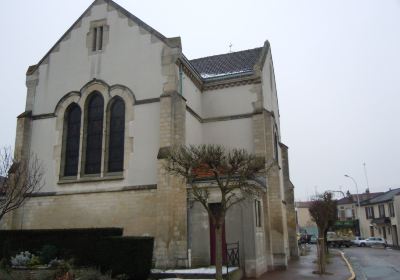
18	180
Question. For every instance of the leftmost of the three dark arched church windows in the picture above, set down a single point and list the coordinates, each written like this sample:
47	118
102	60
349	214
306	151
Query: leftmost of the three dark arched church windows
72	136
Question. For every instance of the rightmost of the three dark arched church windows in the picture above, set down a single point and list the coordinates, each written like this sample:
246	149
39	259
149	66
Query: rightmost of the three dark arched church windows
116	136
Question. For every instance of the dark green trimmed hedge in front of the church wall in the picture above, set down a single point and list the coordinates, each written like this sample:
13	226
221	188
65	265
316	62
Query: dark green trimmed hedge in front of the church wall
100	247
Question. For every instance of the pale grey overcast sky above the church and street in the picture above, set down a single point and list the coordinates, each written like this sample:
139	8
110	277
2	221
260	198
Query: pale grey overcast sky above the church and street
337	67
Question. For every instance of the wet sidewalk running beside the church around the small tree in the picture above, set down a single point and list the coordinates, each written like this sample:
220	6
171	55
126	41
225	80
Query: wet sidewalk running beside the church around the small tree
304	267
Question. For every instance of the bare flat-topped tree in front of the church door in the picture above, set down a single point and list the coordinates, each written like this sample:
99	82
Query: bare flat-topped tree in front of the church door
232	174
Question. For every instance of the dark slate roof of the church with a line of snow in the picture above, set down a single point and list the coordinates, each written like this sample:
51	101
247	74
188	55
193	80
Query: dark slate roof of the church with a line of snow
227	65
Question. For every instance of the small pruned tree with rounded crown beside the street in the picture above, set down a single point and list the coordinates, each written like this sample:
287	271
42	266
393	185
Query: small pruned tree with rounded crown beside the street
323	210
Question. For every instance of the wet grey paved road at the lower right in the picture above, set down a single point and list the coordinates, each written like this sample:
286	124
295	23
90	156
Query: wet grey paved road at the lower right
374	263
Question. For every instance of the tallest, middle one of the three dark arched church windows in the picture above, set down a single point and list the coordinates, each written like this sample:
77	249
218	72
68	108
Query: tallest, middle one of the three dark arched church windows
94	134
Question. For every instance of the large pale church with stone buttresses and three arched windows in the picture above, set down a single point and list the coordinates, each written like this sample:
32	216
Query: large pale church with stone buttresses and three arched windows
105	103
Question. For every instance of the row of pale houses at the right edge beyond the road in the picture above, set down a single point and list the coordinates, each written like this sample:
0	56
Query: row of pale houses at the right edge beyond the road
380	216
